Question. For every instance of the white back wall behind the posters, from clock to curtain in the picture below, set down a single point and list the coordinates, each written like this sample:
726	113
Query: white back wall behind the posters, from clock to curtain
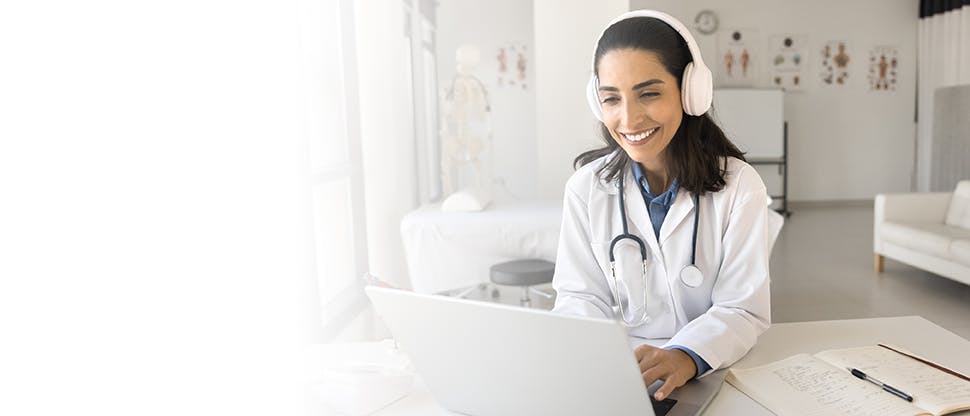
844	143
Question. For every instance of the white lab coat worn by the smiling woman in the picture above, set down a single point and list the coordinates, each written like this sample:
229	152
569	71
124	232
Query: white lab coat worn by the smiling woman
721	319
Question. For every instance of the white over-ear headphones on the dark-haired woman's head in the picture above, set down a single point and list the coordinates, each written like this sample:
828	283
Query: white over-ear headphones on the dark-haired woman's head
697	87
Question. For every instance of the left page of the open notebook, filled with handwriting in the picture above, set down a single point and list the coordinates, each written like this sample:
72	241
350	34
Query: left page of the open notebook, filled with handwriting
805	385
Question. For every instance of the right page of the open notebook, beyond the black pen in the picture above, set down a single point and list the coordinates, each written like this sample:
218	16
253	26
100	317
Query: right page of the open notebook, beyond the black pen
931	388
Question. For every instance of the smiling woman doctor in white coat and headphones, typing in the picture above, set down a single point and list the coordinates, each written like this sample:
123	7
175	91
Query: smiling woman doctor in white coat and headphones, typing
664	228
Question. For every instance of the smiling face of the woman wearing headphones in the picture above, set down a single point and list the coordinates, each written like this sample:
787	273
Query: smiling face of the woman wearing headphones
641	104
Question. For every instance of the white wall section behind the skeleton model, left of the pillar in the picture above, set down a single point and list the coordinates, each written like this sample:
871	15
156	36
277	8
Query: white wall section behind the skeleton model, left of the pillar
489	26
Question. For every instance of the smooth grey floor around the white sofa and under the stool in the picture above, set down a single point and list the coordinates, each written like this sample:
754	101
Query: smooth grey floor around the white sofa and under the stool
822	268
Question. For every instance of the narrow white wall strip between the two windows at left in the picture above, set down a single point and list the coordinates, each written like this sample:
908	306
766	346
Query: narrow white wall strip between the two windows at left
387	133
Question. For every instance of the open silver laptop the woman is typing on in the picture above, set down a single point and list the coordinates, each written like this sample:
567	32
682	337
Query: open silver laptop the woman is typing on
488	359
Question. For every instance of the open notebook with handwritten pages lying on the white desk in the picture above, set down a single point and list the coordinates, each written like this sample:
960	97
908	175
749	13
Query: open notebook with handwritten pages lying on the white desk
821	384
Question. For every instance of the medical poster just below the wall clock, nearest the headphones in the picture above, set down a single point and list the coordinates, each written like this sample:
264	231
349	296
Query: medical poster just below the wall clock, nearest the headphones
736	58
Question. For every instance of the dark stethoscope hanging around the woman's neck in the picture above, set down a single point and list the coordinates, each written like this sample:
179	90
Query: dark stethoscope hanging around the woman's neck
690	275
